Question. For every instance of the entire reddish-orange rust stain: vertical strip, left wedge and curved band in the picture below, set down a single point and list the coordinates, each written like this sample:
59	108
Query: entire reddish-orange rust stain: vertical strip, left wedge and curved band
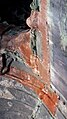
21	43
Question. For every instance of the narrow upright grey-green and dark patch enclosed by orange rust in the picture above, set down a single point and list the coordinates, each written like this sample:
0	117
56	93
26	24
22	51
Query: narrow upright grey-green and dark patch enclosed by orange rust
35	43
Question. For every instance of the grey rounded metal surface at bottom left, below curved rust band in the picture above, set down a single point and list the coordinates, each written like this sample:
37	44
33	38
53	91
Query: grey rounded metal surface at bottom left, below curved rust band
18	101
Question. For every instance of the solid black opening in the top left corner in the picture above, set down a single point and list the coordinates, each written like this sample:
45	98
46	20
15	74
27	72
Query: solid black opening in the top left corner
15	12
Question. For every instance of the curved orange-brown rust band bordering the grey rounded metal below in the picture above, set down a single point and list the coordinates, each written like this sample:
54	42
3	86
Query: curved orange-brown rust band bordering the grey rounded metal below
48	97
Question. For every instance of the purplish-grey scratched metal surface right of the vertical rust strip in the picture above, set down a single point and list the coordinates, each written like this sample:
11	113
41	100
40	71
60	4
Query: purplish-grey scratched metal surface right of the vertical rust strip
56	28
